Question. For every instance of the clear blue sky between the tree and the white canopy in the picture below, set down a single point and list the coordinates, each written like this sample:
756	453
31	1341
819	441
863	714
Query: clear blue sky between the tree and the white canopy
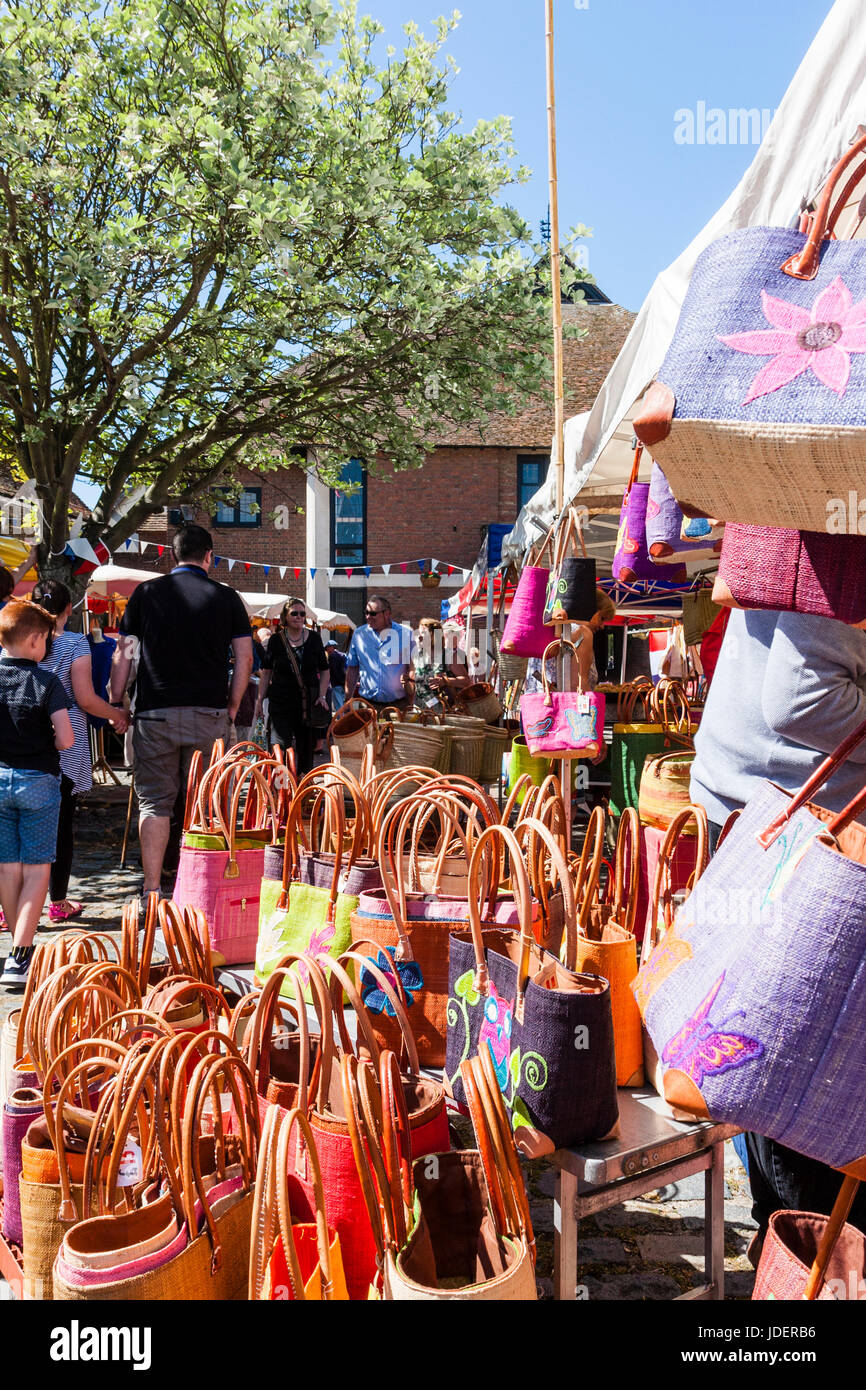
623	70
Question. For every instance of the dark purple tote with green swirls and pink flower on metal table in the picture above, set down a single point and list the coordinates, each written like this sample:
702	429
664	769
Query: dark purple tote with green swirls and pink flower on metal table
548	1029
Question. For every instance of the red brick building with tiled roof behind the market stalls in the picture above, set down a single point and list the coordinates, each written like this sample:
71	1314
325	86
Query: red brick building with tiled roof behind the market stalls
471	479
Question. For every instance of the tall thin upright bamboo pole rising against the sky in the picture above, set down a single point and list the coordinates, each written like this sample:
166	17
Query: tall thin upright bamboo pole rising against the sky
559	404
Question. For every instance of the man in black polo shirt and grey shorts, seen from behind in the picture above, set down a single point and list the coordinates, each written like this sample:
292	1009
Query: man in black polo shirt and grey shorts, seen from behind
186	625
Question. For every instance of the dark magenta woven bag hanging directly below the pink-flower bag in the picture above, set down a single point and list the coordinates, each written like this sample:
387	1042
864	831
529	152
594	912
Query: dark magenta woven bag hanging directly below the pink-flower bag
793	572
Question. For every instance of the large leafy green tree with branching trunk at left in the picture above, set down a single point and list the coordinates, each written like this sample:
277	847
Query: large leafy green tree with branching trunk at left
229	227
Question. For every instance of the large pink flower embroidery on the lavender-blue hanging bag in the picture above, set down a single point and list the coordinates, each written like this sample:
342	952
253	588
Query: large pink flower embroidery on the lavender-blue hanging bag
800	340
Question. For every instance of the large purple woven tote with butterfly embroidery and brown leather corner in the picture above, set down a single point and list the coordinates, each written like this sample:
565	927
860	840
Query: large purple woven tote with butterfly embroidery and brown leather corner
755	1000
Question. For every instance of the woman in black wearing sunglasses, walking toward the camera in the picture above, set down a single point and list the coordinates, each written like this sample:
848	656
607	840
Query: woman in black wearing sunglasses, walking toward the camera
297	679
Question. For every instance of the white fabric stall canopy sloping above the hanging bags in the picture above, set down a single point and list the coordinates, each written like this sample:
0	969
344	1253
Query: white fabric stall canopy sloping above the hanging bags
817	120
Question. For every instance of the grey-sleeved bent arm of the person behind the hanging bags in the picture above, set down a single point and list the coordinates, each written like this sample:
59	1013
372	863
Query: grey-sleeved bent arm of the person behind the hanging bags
815	683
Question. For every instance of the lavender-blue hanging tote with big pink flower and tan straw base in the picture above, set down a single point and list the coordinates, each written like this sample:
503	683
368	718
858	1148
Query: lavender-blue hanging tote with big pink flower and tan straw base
758	414
